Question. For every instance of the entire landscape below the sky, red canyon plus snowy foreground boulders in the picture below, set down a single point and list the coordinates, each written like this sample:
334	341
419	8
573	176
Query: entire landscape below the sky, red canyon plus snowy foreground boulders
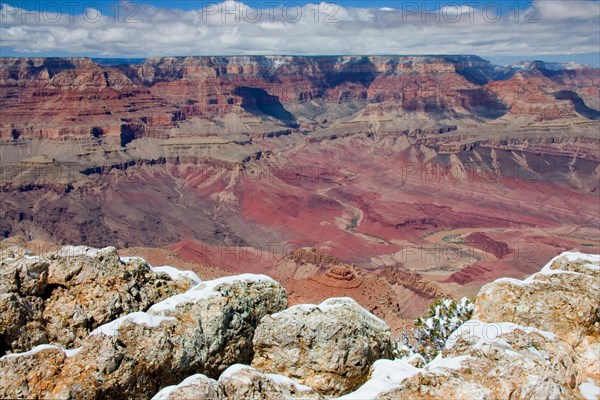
299	227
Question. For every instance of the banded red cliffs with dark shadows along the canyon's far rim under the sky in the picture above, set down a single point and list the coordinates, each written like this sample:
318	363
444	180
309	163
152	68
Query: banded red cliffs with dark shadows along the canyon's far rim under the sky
78	98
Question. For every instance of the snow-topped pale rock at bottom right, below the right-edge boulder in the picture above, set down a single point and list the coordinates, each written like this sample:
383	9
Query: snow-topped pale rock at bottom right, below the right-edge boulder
496	361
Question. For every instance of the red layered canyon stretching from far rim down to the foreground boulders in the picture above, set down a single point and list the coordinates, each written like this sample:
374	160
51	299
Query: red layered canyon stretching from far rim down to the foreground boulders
395	180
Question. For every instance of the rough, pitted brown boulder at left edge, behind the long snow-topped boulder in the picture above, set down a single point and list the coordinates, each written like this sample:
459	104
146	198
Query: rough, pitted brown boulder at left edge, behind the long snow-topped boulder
60	297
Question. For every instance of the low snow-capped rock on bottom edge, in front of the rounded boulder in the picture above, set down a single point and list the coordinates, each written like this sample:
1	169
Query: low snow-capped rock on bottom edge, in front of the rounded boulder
238	382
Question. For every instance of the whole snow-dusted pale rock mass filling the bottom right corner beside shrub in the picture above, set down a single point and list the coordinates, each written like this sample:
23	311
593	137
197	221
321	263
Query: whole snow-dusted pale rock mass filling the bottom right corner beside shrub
530	339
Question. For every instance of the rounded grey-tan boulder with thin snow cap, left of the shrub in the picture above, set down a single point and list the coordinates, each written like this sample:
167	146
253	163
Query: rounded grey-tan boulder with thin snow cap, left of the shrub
329	347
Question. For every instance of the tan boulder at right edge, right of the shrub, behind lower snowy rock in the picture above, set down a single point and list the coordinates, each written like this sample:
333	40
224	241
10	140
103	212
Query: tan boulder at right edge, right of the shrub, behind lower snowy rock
562	299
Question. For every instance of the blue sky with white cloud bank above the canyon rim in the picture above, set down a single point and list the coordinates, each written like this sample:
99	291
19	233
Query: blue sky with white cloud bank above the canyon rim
501	31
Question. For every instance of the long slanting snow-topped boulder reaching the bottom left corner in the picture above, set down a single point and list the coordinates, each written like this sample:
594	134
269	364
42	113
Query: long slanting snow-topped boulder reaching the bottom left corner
206	329
